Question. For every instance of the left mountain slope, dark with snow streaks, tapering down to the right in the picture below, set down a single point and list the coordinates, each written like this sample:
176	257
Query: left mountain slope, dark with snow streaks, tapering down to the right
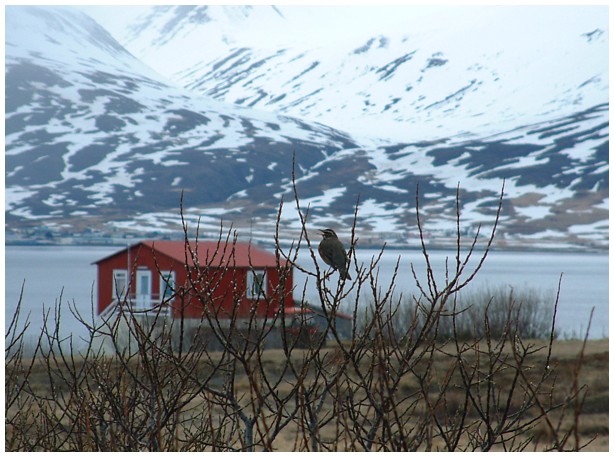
92	131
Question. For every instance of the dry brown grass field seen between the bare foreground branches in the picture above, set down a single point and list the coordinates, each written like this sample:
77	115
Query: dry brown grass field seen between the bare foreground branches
592	430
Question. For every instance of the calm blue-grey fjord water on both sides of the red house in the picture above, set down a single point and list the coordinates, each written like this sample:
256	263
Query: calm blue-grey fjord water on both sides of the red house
50	272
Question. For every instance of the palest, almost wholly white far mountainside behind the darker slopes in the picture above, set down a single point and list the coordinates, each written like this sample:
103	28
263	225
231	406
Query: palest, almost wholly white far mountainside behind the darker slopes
466	70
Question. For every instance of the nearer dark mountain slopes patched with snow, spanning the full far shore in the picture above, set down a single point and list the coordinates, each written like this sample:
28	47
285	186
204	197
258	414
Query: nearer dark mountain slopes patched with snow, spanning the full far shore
97	140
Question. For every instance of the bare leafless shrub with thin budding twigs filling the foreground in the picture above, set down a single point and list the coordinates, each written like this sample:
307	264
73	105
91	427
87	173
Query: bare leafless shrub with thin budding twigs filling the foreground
409	378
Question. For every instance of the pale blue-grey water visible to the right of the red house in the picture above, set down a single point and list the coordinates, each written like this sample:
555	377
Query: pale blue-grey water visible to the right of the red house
584	280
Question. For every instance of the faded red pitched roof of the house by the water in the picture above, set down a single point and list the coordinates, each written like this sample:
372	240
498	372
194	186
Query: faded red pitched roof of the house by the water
210	253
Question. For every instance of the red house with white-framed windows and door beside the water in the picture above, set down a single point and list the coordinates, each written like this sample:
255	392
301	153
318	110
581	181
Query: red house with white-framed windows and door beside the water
227	278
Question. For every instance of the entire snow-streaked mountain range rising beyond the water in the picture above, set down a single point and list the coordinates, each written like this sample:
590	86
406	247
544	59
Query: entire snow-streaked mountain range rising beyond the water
96	138
